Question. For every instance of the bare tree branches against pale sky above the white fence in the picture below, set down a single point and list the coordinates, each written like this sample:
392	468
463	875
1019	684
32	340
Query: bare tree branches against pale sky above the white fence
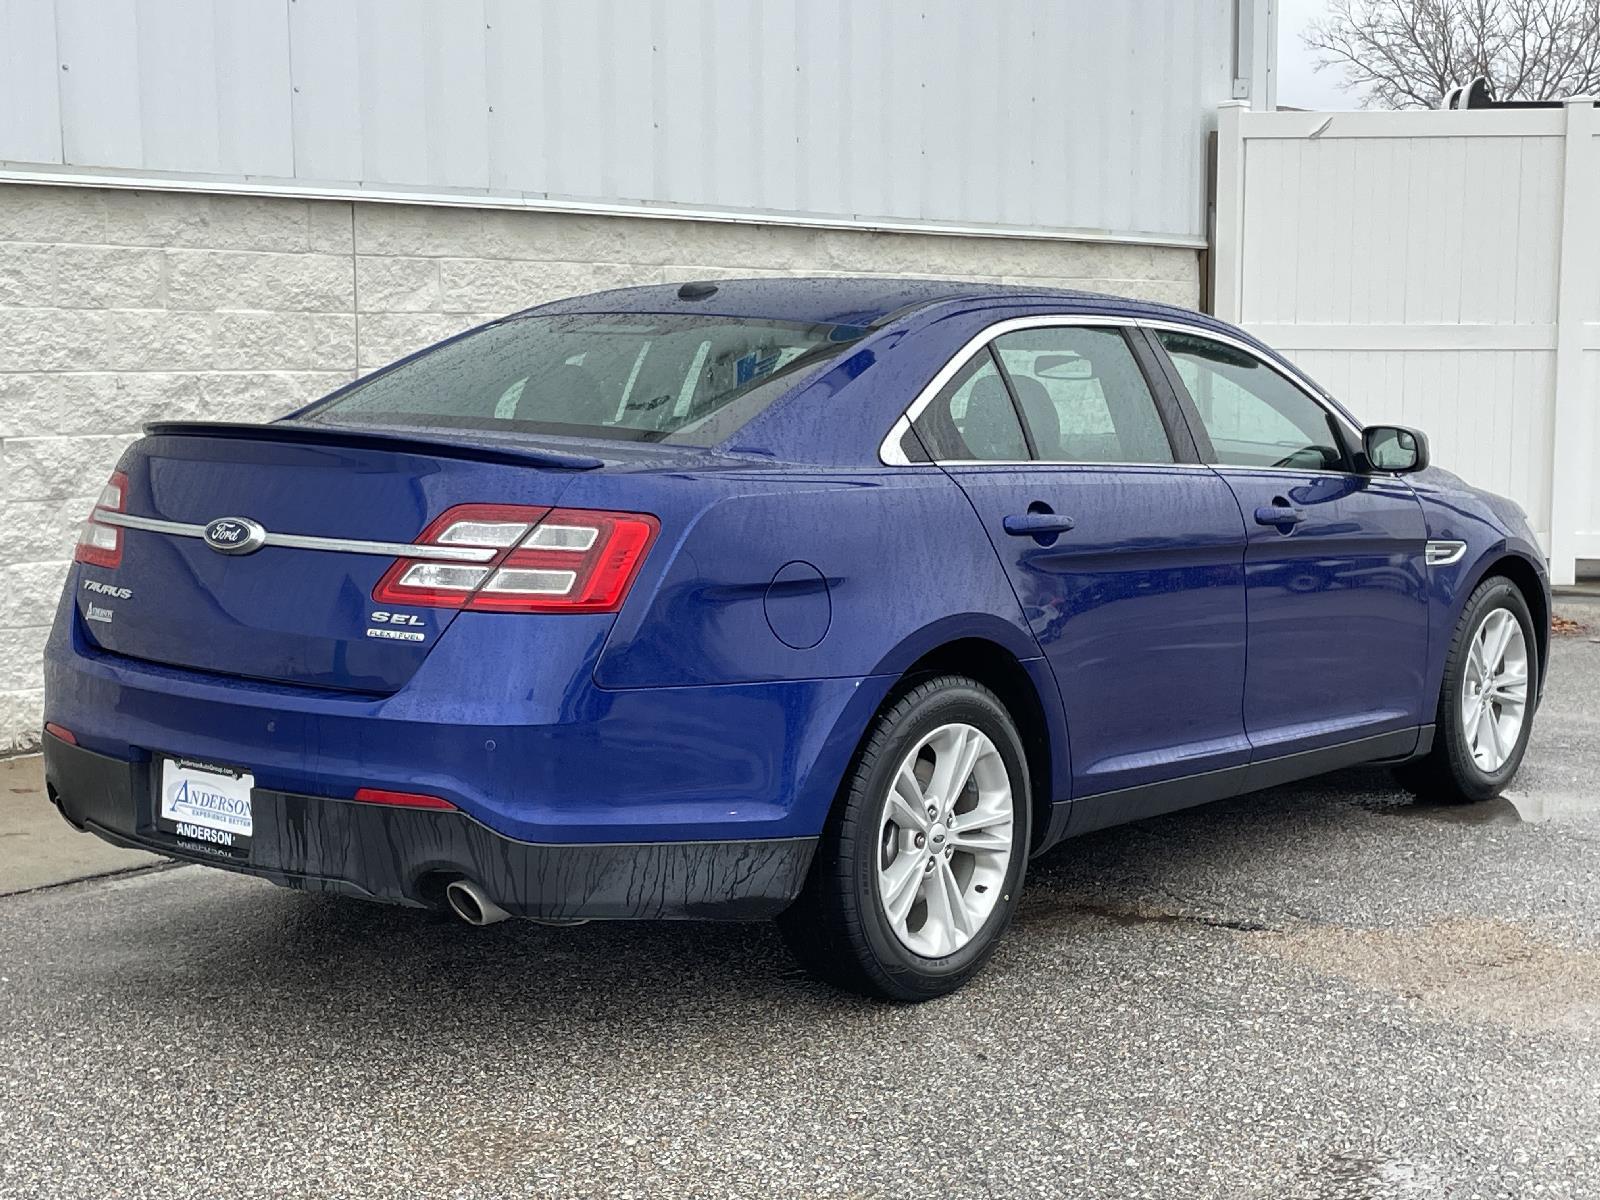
1409	54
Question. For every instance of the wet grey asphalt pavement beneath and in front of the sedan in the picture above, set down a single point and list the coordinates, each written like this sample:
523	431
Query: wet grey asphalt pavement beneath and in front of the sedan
1322	991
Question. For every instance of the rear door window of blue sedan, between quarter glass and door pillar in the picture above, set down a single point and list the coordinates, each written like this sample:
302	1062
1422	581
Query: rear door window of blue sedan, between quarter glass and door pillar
1084	396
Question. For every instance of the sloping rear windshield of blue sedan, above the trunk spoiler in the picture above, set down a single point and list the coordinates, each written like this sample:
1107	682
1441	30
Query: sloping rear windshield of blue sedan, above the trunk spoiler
638	377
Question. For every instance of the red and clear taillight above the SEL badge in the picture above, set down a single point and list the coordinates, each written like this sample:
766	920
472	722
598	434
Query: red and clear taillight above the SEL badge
545	561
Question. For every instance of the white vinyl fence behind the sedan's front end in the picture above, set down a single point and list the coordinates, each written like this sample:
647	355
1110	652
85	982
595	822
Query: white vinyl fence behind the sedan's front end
1439	270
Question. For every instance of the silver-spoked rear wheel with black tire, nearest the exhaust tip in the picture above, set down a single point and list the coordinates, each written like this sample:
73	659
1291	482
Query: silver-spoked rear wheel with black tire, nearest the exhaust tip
908	906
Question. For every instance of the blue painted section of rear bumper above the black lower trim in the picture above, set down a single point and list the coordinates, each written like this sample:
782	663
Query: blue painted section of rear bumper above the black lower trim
527	748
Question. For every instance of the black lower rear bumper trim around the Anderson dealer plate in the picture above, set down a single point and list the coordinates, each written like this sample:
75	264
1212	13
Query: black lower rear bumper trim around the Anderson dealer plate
406	855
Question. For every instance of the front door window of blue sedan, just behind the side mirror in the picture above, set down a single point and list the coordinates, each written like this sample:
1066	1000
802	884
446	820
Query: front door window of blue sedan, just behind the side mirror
1254	415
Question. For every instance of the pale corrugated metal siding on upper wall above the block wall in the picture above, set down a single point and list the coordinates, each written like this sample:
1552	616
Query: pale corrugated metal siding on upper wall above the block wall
1057	114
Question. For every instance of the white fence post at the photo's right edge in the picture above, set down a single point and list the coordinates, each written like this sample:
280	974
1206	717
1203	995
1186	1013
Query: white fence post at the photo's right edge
1570	474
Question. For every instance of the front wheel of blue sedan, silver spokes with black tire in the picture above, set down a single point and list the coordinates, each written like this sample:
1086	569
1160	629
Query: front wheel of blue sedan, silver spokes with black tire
1478	746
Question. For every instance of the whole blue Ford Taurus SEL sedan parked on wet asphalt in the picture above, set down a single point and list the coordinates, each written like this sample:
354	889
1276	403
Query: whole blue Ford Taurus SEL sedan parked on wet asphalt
826	601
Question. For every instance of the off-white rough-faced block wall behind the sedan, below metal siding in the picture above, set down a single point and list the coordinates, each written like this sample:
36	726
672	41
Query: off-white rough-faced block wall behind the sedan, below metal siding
121	308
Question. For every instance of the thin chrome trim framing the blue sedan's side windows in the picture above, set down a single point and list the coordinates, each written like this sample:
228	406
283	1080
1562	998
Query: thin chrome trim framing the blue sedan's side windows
892	455
